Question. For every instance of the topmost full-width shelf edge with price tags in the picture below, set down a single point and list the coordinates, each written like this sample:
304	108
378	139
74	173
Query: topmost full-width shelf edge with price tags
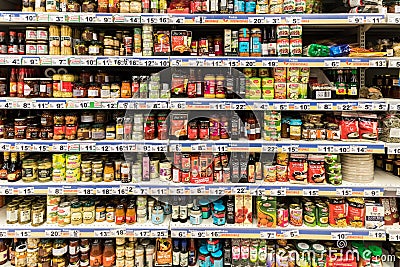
201	19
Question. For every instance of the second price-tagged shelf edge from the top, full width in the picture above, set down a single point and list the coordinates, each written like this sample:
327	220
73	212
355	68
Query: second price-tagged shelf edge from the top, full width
160	61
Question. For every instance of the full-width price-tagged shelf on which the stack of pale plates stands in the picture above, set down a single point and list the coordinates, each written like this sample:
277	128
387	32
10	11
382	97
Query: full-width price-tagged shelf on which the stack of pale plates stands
383	185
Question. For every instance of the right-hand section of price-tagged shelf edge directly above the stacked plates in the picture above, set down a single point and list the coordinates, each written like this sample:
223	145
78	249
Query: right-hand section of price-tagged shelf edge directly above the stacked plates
288	146
